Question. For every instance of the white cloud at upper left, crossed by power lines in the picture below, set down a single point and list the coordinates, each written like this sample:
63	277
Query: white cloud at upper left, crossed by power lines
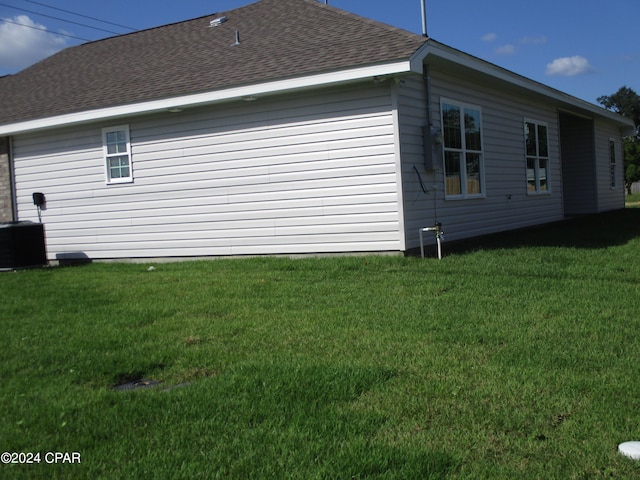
22	46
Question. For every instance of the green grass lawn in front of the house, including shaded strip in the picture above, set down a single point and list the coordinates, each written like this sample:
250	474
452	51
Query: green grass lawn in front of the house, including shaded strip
514	357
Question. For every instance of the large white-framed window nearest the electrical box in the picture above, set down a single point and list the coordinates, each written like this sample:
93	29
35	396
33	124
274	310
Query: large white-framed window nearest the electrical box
462	138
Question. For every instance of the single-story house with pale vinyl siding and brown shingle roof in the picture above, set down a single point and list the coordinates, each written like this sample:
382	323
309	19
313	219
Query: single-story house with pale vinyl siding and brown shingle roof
291	127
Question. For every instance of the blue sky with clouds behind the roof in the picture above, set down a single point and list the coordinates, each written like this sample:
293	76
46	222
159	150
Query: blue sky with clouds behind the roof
586	48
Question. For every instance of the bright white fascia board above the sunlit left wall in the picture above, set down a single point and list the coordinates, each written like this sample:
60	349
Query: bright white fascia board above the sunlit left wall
207	98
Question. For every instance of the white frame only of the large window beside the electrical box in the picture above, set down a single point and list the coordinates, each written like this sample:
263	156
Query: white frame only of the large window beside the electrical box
463	152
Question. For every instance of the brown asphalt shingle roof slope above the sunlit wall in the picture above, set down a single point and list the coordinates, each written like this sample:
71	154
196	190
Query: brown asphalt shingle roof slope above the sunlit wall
278	39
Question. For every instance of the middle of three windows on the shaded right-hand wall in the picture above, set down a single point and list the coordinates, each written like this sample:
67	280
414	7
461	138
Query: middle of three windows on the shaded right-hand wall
537	154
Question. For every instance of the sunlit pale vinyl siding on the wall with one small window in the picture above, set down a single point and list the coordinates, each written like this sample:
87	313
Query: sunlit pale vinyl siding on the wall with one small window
303	174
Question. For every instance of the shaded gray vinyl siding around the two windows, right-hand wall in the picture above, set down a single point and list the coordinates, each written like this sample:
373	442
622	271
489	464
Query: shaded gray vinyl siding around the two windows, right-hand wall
506	203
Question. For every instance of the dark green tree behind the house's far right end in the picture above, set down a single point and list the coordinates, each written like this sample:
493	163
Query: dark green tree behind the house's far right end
626	102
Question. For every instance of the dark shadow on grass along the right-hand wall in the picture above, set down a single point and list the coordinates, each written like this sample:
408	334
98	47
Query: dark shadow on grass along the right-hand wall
589	232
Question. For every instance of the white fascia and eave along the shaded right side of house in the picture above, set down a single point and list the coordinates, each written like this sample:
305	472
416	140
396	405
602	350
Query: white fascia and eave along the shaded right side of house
448	53
